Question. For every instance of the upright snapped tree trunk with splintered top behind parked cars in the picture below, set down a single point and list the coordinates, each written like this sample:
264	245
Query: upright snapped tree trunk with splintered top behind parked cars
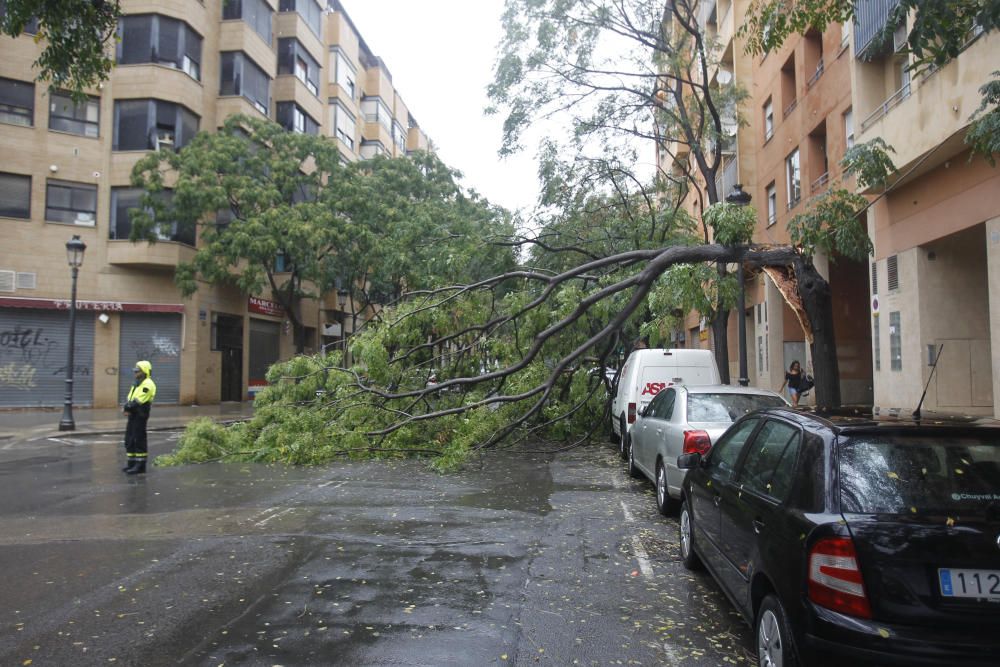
816	299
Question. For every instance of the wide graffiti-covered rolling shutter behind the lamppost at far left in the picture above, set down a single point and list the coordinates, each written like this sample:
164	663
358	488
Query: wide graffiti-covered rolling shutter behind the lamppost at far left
33	347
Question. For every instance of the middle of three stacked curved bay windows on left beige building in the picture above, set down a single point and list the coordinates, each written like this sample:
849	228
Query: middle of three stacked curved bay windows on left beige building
151	125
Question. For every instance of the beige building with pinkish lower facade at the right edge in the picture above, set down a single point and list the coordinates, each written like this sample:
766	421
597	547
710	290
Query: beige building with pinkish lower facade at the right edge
935	276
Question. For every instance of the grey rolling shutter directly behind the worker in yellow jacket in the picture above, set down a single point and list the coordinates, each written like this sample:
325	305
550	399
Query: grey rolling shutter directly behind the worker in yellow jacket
155	337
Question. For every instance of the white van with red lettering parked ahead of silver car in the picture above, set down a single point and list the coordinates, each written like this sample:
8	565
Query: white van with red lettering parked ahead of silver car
646	372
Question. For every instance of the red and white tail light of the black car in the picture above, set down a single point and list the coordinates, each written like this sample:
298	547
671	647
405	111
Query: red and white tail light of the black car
835	577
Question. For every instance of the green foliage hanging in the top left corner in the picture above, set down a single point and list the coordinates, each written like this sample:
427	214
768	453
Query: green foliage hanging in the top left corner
76	33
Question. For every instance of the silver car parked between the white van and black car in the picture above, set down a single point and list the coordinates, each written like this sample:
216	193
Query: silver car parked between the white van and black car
683	419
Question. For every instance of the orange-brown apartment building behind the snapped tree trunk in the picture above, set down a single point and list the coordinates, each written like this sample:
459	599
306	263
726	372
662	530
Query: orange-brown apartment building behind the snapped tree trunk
800	114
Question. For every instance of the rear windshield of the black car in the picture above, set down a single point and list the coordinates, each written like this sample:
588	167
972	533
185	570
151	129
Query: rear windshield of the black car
920	474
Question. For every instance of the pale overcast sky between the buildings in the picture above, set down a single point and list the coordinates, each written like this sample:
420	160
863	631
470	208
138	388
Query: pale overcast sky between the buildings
441	55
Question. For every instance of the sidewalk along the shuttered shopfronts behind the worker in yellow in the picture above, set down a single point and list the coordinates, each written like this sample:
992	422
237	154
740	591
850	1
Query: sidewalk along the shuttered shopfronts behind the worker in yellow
19	426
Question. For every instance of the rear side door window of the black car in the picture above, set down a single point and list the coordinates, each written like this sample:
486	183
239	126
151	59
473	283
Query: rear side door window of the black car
771	460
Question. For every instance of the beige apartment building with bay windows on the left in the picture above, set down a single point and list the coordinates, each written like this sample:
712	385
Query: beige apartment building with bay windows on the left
182	66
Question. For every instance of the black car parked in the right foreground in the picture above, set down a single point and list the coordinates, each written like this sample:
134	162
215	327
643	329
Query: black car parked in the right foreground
861	541
